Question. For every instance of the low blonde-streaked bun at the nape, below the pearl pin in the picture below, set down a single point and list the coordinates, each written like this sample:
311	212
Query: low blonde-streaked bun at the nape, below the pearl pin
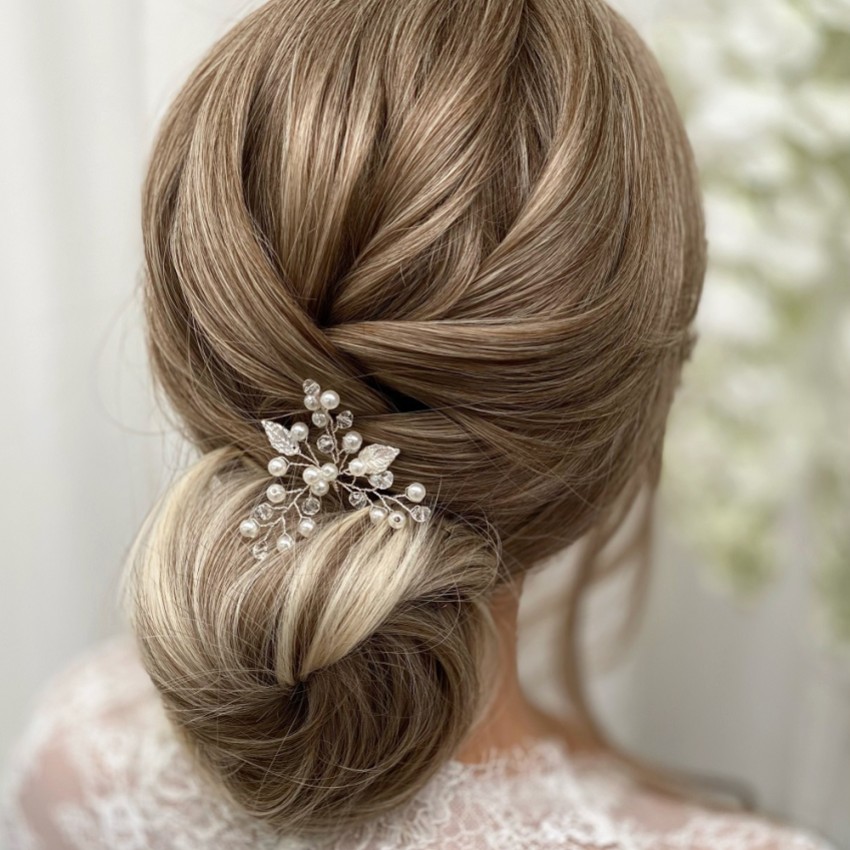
322	685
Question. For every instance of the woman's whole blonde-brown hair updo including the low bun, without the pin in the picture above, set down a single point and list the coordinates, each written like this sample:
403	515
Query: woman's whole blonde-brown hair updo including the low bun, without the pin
479	222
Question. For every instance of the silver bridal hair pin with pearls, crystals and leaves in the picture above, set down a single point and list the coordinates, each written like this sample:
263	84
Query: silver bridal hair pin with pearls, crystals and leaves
302	478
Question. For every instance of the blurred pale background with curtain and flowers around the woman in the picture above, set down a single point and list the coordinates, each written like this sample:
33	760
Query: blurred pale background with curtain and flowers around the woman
741	665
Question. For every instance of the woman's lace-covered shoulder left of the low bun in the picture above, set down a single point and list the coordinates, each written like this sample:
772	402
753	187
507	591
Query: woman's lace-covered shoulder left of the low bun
98	766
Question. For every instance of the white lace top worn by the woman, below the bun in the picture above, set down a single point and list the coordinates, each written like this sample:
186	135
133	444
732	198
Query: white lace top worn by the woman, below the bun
100	768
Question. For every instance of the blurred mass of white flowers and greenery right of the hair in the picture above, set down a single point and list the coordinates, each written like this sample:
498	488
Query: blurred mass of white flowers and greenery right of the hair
764	412
